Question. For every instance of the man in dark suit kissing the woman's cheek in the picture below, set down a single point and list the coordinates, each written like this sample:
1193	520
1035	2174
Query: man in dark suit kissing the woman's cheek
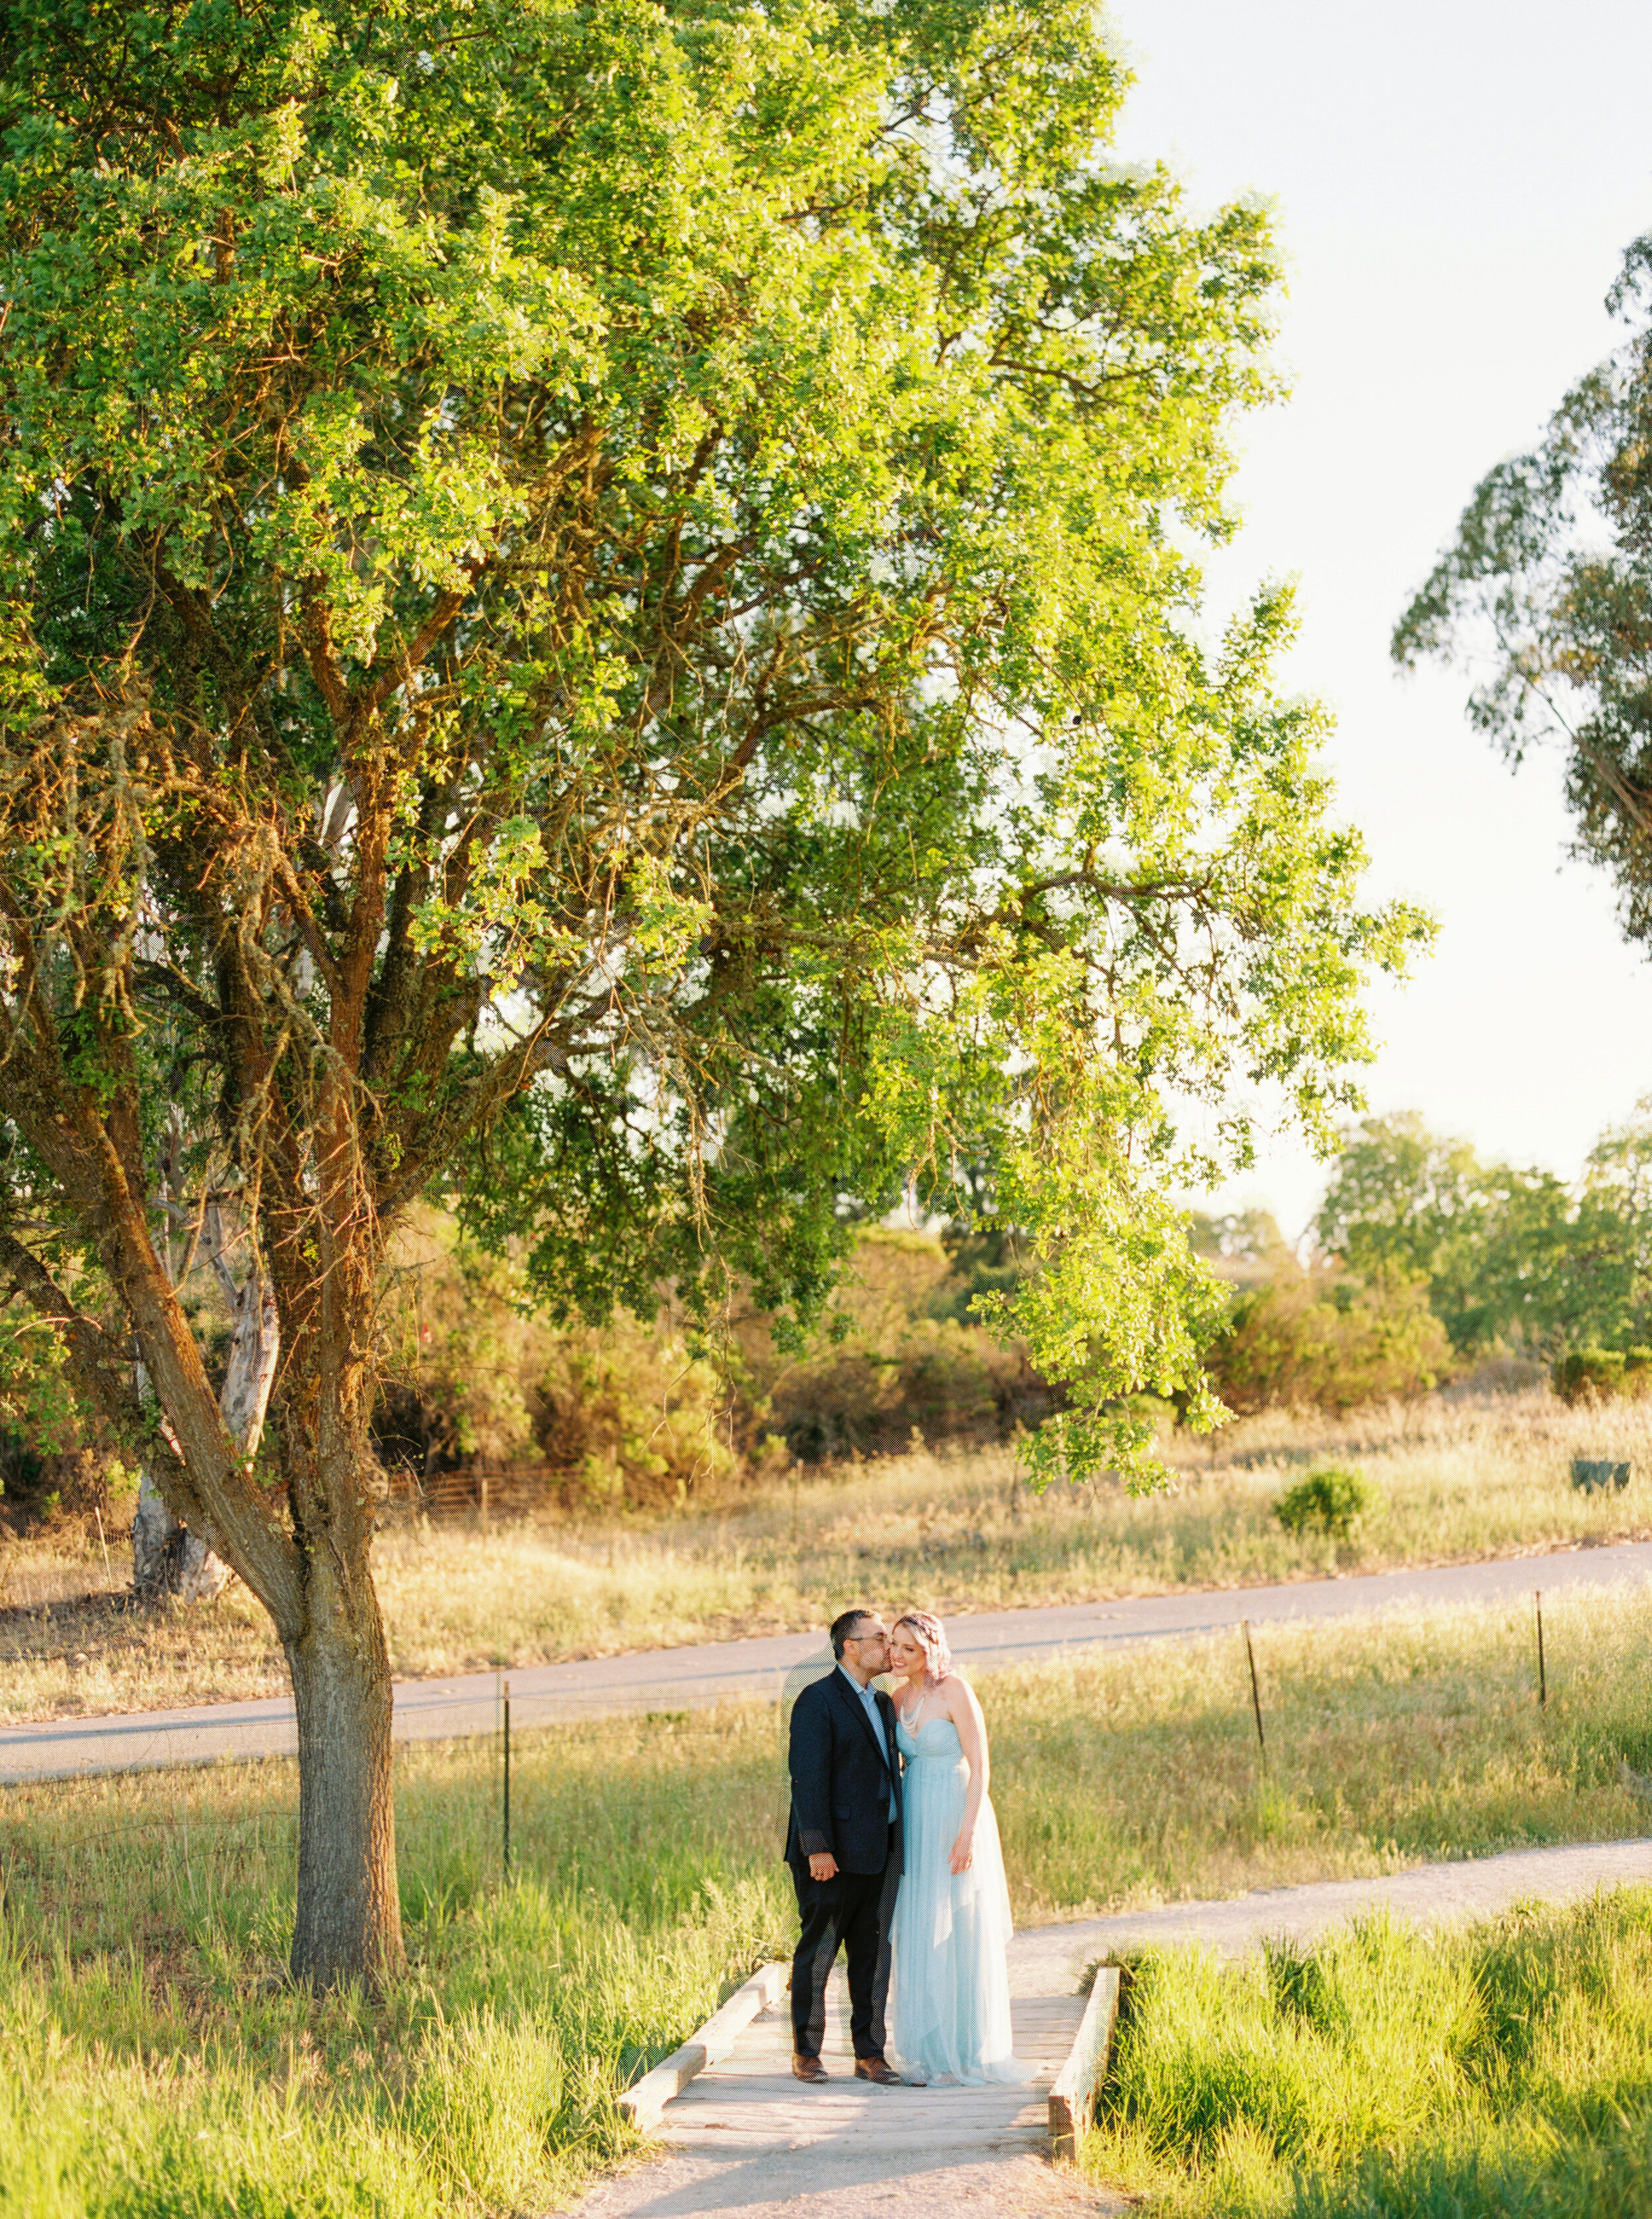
845	1847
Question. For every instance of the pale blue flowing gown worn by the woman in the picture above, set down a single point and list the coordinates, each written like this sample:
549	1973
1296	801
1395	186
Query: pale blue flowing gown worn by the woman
951	1985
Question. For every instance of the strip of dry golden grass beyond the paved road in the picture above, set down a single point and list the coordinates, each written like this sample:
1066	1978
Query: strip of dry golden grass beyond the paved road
1455	1479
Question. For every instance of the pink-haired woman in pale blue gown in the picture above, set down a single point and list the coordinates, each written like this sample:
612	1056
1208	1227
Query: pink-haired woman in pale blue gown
951	1985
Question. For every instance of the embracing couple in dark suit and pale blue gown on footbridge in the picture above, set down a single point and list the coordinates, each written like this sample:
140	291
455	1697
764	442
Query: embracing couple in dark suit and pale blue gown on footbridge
900	1867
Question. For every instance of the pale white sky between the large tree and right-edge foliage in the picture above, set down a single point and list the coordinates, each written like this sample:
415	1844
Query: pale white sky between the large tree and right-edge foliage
1455	188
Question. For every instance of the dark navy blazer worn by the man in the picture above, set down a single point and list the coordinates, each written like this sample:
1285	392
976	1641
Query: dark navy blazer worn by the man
843	1779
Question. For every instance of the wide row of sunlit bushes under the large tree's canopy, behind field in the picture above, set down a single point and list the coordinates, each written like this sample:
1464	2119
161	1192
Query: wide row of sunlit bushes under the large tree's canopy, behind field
632	1417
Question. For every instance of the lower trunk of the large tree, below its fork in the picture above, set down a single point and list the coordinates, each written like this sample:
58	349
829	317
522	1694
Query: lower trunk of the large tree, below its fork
350	1918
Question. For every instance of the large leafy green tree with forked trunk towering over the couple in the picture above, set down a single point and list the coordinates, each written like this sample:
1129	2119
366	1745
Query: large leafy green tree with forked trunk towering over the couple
594	607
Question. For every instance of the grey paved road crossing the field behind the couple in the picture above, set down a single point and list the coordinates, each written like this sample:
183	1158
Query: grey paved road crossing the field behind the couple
778	1665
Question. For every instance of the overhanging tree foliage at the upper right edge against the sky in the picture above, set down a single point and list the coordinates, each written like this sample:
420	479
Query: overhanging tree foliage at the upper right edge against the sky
1547	582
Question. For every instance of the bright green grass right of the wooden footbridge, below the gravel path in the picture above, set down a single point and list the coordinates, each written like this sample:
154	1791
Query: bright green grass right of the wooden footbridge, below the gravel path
1393	2076
